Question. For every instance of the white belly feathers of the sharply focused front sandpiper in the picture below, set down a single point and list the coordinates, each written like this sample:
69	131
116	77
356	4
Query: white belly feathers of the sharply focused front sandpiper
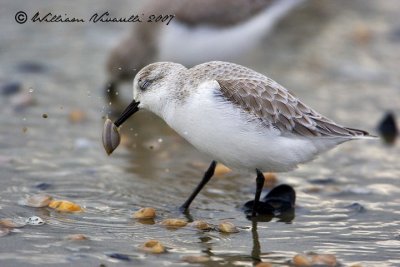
224	132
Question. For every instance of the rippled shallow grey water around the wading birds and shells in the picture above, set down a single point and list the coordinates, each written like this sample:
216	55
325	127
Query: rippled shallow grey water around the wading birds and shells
340	57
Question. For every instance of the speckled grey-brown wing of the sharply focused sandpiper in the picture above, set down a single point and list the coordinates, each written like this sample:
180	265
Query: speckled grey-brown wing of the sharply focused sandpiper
274	104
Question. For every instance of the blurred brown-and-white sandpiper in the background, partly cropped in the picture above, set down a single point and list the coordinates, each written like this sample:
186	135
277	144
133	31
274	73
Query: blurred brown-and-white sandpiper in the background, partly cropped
202	30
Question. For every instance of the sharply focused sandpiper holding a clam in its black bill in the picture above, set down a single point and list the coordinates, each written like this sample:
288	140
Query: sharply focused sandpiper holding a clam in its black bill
237	116
